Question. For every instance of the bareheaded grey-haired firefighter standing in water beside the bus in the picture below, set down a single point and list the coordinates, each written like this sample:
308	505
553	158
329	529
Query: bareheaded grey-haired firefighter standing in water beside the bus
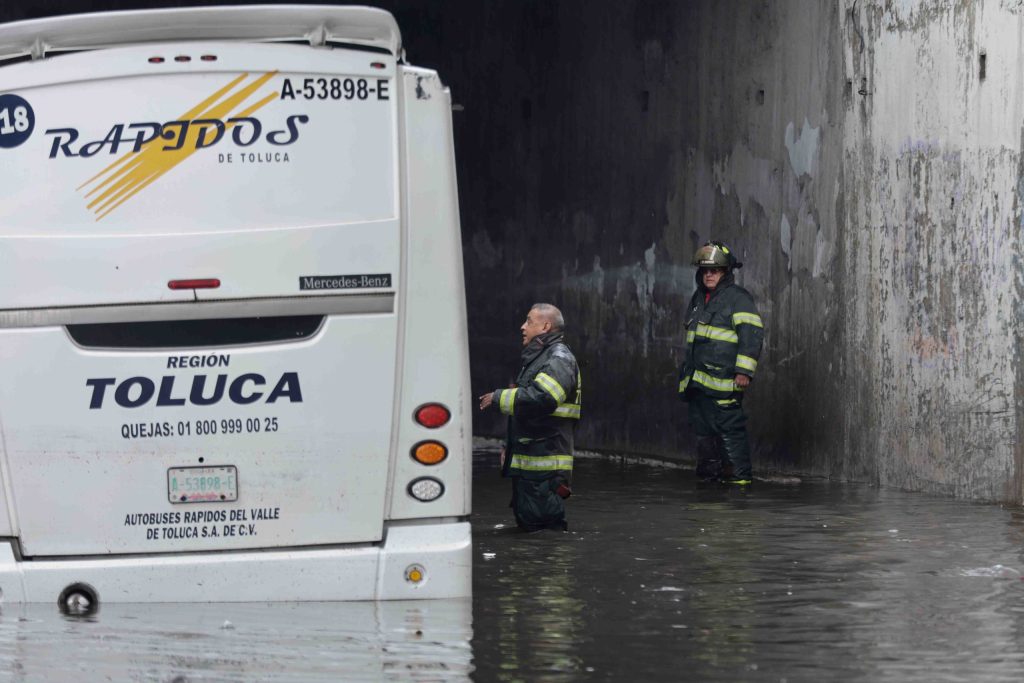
543	407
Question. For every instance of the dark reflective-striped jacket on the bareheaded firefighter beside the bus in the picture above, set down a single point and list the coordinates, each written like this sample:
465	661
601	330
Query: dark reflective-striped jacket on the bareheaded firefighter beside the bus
543	408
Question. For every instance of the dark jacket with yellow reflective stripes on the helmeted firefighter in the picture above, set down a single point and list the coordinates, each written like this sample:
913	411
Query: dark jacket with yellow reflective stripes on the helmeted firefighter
724	336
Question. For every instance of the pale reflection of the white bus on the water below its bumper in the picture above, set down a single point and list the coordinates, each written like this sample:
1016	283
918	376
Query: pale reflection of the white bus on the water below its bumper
418	642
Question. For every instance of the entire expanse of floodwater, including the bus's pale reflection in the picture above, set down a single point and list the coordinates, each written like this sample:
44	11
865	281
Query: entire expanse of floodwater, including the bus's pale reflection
660	579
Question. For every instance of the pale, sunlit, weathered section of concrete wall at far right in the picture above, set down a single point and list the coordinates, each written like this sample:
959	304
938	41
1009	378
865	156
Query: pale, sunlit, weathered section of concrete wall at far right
932	166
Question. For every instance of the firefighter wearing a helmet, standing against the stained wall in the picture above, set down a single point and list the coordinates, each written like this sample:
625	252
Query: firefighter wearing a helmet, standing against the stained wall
724	334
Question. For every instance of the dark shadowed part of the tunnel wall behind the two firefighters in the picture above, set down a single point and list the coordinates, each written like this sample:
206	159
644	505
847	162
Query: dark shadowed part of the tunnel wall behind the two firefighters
601	145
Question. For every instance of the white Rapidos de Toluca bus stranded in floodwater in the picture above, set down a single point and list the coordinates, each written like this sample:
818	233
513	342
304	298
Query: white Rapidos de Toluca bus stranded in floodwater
234	357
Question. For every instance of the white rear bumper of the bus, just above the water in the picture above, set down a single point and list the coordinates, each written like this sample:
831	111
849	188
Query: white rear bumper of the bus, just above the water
439	556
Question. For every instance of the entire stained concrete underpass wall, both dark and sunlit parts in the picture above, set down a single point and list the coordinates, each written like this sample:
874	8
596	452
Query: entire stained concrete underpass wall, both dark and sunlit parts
849	150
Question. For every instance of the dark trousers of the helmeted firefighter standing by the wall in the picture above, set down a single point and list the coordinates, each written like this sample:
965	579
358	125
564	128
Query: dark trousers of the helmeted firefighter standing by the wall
723	448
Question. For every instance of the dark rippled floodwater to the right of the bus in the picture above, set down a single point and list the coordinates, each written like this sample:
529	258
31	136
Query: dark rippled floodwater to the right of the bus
663	579
